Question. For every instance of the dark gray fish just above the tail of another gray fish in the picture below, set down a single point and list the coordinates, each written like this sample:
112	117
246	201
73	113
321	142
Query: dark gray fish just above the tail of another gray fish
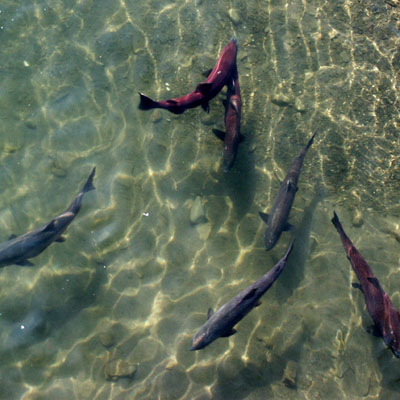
277	219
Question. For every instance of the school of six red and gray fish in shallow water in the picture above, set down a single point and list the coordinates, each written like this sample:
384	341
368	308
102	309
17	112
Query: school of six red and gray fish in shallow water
19	250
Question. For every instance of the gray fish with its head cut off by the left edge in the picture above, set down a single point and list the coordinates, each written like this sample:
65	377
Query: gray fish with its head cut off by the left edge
17	250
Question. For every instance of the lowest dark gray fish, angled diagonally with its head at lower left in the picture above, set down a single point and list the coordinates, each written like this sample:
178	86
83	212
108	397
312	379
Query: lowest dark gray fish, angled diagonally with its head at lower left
221	323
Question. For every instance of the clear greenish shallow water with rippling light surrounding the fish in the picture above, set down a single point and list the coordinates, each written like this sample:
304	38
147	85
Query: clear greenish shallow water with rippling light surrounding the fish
134	280
